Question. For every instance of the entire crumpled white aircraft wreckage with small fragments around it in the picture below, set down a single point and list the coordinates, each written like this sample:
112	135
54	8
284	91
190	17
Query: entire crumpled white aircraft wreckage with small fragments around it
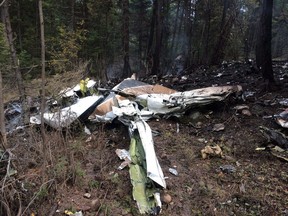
133	102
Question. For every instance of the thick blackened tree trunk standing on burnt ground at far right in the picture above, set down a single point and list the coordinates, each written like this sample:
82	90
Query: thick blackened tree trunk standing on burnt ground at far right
263	47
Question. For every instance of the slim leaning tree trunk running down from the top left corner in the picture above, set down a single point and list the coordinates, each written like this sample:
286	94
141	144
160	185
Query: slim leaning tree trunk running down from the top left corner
9	34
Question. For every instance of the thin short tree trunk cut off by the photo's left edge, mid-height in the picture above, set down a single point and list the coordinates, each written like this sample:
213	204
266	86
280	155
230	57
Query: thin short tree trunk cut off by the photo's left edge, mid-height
3	139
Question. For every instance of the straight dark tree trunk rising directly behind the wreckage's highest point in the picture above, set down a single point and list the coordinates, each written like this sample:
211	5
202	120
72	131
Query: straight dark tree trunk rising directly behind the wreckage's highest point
125	9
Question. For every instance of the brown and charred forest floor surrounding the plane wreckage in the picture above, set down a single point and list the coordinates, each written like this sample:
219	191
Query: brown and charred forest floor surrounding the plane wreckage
256	186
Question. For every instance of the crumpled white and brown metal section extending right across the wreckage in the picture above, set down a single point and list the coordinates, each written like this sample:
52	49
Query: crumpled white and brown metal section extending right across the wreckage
160	100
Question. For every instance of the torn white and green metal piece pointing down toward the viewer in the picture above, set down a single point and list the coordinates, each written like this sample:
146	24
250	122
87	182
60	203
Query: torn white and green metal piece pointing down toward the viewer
144	169
